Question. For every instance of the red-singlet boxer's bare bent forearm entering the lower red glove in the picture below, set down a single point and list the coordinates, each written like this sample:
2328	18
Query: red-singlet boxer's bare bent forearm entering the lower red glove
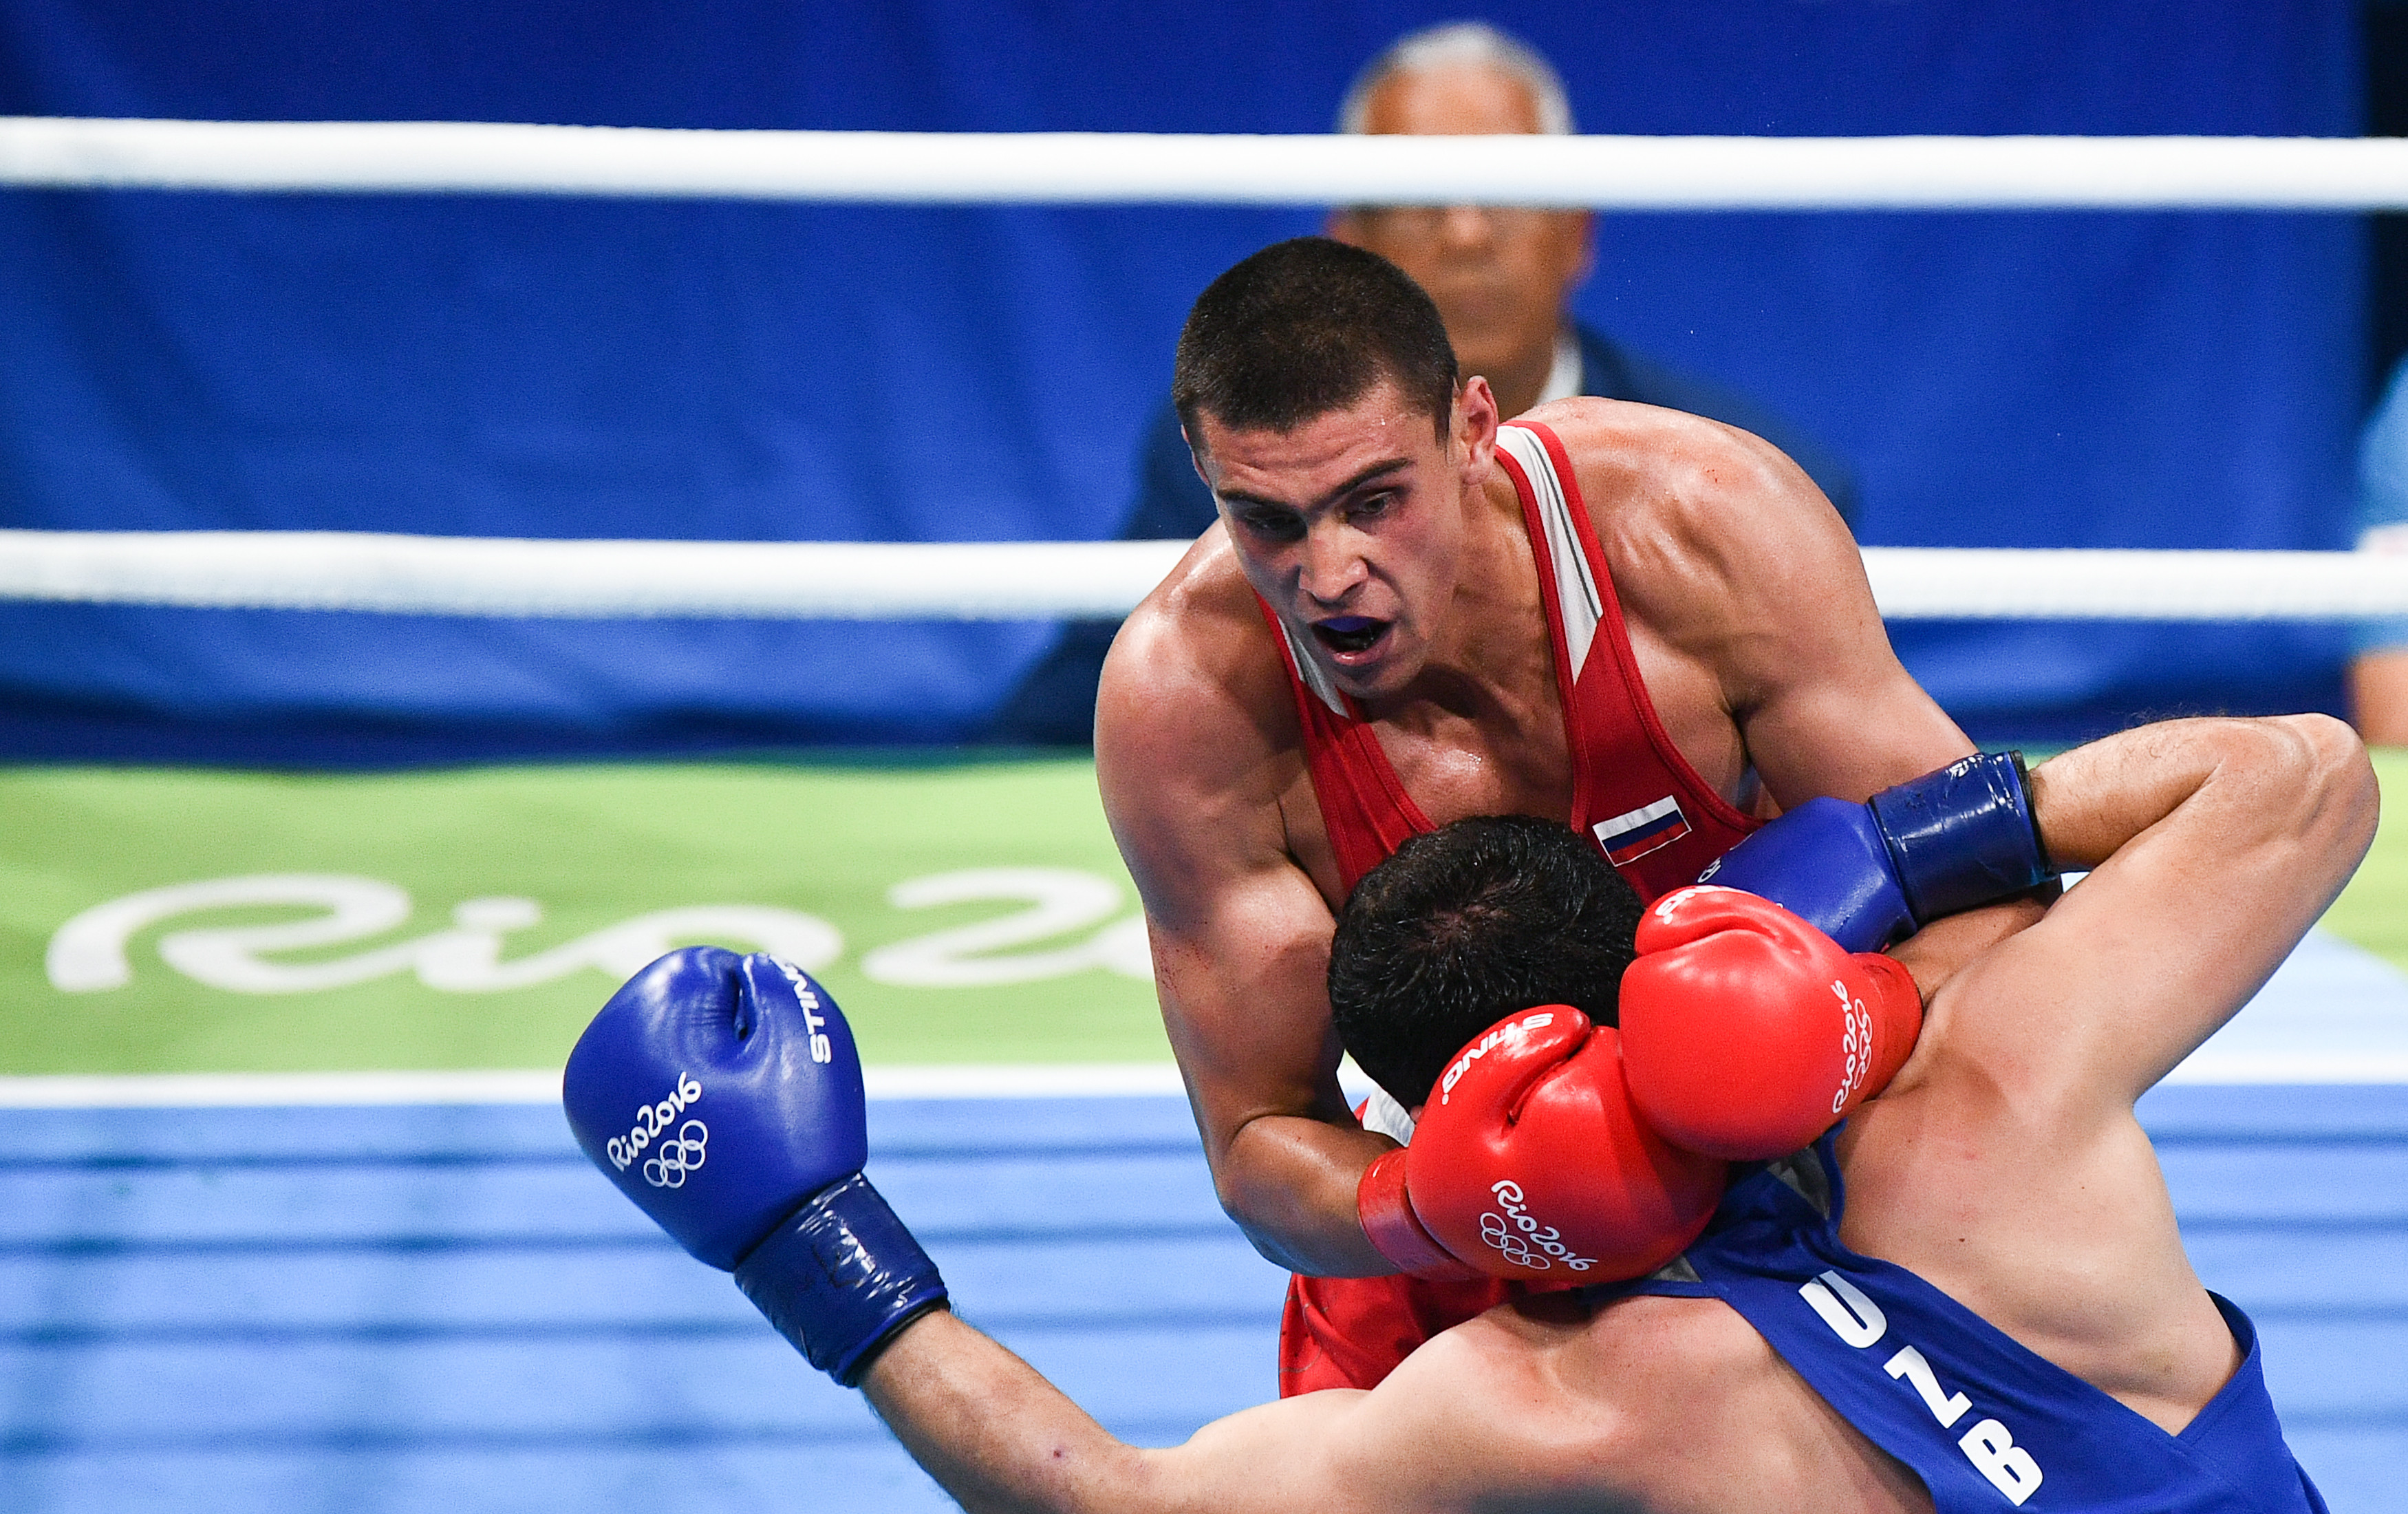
1292	1185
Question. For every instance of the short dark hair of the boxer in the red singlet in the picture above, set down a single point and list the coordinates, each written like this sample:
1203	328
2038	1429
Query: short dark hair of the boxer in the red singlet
1304	329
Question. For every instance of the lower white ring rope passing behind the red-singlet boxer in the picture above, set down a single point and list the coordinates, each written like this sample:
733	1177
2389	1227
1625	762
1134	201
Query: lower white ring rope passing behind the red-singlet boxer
1001	581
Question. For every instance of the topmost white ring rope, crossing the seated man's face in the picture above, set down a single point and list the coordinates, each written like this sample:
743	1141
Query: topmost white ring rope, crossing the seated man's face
1210	170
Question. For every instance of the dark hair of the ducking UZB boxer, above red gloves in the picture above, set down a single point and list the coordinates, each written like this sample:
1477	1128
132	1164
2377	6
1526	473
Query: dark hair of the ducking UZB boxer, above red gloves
1468	925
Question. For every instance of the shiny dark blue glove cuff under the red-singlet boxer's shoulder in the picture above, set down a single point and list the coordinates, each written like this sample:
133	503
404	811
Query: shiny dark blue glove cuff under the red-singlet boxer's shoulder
1964	836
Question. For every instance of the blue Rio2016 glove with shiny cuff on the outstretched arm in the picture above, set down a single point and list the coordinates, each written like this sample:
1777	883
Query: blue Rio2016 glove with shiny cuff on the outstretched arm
726	1099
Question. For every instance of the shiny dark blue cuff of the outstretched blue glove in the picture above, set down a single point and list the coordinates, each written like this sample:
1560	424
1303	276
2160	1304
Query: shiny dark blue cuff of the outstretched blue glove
842	1277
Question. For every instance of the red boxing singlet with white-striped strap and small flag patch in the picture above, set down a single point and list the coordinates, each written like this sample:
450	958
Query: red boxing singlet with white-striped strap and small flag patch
1631	793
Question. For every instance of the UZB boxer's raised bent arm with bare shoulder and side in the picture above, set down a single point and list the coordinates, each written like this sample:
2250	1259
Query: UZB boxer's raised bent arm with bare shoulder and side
2007	1164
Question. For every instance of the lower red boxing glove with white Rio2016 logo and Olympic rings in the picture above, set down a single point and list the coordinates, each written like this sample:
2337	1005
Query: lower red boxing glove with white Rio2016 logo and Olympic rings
1533	1164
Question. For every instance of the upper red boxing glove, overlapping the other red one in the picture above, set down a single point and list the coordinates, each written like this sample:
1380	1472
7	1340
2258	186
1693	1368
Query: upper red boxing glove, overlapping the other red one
1747	1031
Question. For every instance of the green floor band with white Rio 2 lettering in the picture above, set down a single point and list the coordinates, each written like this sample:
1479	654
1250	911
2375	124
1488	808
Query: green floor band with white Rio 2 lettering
182	921
